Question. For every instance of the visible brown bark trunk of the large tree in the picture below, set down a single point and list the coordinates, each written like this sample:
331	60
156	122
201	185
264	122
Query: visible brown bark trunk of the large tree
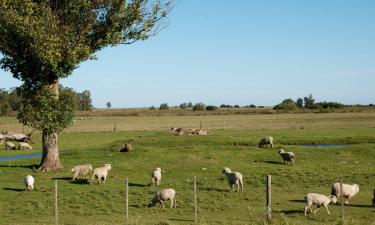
50	156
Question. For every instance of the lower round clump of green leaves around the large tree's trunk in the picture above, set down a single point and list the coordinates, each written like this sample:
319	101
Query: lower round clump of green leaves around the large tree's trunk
43	111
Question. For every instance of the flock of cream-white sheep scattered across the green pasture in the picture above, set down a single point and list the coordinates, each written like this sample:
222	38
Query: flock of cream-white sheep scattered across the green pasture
234	179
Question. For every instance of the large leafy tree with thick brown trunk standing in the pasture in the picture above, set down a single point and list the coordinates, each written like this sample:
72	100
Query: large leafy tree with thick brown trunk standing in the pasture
42	41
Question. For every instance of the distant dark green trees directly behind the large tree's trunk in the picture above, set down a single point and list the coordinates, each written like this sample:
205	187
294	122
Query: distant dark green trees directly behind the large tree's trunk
10	100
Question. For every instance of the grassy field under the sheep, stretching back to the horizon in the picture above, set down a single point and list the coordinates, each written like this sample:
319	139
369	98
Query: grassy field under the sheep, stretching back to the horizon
182	157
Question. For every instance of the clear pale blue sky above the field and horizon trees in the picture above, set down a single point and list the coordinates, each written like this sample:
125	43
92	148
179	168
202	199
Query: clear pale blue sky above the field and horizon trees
240	52
